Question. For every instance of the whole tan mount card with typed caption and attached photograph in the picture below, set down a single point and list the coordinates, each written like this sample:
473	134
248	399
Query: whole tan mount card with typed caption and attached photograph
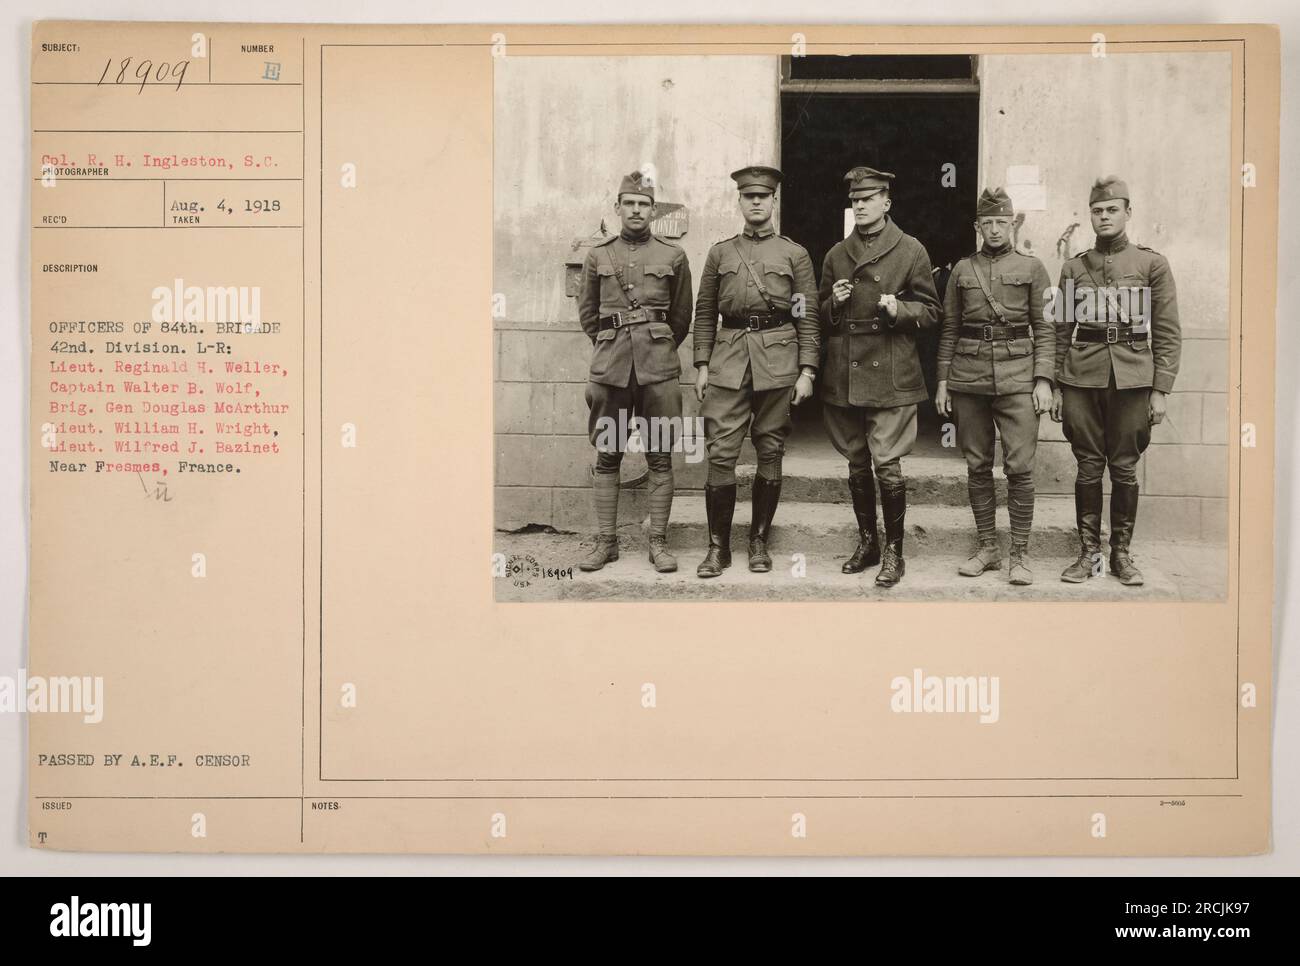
652	440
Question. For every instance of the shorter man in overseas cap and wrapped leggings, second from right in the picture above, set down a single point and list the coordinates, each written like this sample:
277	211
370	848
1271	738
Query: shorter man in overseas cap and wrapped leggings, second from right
996	362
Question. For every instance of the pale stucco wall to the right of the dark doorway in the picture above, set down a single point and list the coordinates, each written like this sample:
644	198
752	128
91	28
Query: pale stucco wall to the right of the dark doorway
1162	122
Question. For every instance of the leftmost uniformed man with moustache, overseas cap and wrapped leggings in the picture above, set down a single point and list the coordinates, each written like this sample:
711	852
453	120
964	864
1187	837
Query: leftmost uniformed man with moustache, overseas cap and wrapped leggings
635	306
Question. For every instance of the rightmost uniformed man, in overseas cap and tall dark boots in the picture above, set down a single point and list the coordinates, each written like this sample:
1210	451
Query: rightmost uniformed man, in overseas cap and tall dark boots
1117	353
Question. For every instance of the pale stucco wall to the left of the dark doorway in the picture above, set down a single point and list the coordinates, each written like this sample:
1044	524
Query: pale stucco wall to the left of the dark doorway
566	132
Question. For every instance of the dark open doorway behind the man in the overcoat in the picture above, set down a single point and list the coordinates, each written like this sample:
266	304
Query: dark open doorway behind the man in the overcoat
838	112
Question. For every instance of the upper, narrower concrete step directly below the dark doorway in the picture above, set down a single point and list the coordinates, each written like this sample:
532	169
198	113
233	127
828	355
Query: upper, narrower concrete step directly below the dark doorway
825	479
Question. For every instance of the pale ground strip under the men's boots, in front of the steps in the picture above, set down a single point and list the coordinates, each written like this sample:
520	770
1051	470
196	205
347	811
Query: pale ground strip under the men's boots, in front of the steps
929	577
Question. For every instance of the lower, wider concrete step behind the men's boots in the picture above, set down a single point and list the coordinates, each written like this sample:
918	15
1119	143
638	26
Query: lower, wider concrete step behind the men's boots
830	529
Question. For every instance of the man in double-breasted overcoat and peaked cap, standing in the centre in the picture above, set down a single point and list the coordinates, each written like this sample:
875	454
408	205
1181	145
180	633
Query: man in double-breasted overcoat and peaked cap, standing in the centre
878	293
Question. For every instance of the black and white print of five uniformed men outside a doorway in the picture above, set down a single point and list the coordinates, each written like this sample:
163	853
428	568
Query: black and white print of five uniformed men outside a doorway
805	327
